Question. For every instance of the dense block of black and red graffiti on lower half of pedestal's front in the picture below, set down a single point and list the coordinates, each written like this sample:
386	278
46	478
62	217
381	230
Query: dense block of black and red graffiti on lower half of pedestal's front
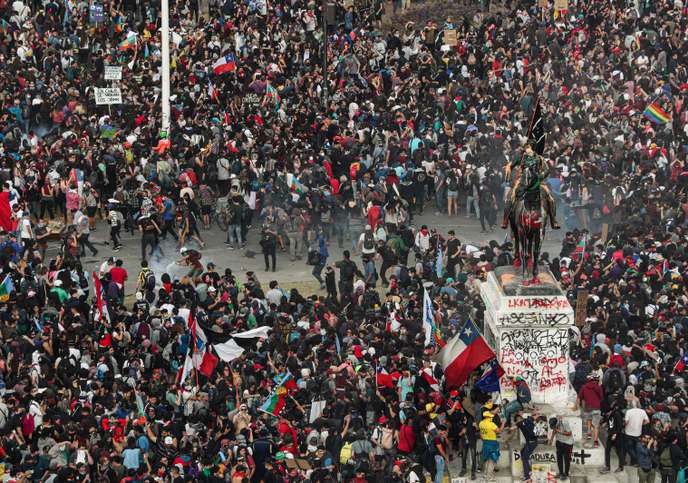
539	356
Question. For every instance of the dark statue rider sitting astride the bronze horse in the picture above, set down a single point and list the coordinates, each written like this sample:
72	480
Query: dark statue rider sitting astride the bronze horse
538	167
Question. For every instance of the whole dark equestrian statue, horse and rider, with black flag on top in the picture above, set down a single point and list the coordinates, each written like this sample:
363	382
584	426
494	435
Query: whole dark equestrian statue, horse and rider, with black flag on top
530	204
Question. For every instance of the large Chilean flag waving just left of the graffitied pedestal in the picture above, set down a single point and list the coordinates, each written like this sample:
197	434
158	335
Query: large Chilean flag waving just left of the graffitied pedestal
464	353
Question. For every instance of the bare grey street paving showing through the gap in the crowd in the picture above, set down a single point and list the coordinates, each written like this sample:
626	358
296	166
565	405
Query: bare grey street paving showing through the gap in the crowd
467	229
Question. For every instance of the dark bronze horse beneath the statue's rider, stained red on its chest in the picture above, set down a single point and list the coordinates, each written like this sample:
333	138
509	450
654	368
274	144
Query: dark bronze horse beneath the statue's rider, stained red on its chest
528	223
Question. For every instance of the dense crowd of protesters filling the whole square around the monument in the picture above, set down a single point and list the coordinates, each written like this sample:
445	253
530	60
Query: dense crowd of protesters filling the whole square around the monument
310	140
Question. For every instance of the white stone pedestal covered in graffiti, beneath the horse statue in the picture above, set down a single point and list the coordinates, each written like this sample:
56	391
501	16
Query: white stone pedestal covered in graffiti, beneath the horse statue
528	328
